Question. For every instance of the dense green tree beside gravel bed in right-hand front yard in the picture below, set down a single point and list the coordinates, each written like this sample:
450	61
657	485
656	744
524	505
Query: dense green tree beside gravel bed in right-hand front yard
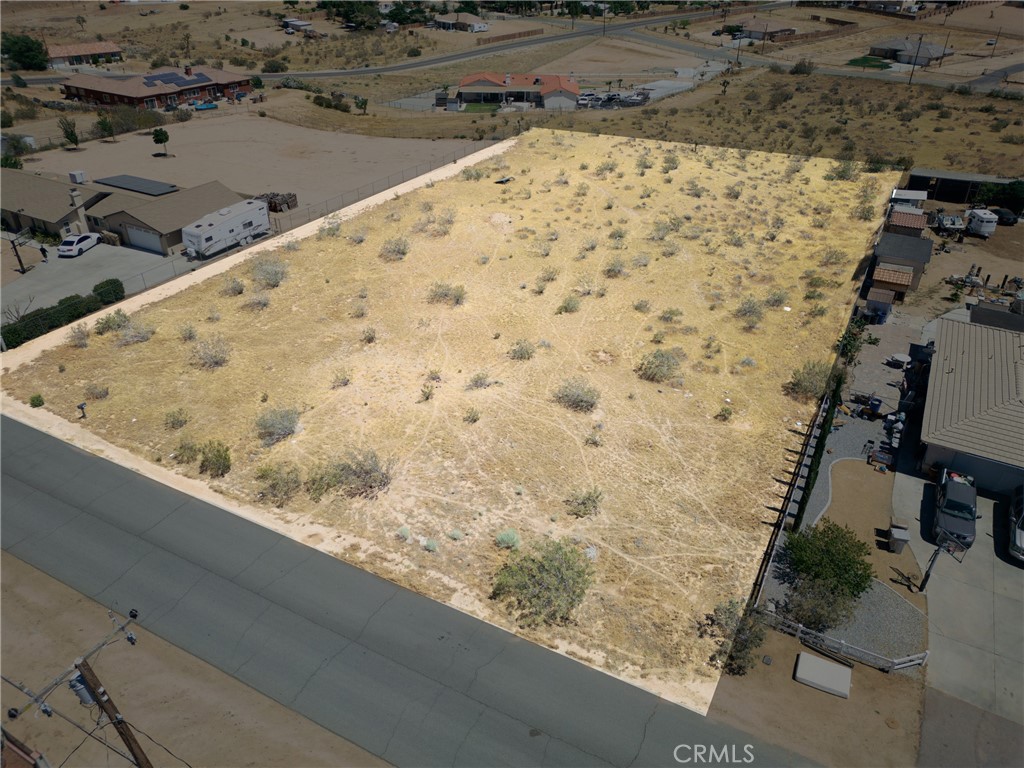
831	554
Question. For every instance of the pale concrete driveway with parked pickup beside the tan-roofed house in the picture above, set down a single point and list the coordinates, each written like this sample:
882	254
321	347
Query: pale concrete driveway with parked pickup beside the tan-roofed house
975	609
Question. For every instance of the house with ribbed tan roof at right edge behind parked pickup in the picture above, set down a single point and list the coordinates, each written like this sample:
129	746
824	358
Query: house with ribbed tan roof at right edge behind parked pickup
974	412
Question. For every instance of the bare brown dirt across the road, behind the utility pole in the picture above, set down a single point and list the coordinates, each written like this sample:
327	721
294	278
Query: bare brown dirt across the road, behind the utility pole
161	690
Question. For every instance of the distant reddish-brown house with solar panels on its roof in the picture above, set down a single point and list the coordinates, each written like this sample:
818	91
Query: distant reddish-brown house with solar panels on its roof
166	88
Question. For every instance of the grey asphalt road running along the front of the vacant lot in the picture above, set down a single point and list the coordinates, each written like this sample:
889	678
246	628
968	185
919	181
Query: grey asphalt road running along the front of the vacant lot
406	678
